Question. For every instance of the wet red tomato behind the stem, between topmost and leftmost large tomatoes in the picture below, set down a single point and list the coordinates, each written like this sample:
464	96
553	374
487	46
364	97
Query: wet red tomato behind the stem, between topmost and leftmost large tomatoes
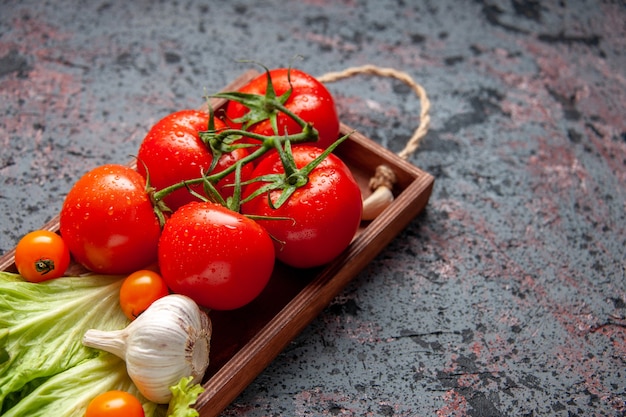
173	152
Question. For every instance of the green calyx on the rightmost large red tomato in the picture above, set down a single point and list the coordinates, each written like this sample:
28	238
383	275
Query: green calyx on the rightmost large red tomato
292	178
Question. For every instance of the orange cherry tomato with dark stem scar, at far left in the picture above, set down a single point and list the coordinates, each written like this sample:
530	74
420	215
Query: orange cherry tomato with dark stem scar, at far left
41	255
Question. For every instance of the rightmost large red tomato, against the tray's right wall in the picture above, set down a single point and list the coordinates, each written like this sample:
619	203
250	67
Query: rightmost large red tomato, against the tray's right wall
323	215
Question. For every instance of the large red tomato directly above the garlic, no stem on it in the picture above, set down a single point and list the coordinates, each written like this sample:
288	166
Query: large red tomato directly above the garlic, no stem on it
217	257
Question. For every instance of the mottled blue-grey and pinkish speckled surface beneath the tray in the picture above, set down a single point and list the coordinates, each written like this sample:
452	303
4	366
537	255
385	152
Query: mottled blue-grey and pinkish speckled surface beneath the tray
506	297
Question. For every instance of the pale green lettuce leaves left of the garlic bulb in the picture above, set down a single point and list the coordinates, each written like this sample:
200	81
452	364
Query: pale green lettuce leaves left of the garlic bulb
44	368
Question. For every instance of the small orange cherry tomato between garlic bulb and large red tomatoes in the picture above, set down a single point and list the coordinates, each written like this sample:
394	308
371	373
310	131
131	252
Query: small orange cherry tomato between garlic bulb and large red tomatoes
139	290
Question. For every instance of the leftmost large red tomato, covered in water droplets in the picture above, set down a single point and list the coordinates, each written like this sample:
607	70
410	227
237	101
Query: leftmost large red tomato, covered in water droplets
108	221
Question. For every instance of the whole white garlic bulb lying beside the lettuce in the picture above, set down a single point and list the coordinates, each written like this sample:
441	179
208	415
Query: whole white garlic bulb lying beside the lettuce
167	342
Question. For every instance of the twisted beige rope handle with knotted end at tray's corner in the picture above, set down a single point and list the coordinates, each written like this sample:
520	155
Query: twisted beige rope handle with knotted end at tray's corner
384	178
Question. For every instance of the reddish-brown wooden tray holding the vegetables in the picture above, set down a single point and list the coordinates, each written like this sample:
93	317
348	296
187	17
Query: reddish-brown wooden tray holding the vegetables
246	340
